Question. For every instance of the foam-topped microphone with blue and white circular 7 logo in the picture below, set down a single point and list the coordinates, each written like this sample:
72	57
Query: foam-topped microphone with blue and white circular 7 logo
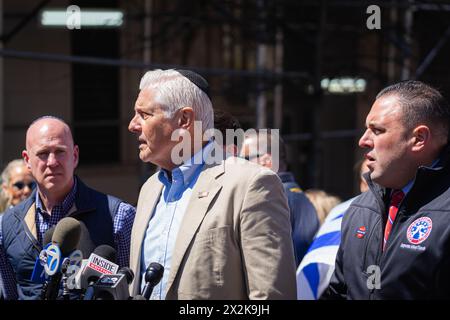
64	241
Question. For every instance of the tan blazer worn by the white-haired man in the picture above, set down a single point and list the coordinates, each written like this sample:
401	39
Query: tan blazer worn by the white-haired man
235	237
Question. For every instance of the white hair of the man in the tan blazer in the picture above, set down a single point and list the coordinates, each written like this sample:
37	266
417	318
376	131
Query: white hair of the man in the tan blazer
173	91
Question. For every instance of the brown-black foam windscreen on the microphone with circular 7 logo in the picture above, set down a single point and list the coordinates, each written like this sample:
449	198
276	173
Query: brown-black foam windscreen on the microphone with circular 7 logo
67	235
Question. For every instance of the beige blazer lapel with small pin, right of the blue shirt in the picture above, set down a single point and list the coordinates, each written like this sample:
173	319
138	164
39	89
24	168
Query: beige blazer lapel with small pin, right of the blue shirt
203	193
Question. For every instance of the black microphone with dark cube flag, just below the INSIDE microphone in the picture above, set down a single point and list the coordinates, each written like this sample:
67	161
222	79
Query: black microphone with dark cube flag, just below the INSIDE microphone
114	286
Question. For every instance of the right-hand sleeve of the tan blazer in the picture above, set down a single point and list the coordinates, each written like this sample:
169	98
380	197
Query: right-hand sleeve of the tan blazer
265	234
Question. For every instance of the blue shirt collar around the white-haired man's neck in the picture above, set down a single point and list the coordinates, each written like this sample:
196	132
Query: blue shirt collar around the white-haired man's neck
188	169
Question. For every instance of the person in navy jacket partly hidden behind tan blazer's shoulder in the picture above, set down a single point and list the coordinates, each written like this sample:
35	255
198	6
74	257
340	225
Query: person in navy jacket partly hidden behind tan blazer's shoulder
269	150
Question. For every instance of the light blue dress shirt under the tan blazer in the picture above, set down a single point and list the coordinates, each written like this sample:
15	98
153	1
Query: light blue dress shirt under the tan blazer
165	222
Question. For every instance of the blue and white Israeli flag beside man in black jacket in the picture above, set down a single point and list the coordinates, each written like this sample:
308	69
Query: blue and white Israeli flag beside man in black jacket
315	271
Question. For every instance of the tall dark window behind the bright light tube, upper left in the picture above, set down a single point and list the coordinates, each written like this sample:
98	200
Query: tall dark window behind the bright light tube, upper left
95	92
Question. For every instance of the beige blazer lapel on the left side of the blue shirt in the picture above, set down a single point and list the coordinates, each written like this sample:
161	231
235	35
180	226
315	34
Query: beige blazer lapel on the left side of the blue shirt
148	199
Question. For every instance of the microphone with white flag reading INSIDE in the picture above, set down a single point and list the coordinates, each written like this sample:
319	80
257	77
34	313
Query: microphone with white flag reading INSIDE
99	263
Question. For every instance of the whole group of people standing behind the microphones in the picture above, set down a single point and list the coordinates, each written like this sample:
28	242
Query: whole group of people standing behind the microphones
227	219
